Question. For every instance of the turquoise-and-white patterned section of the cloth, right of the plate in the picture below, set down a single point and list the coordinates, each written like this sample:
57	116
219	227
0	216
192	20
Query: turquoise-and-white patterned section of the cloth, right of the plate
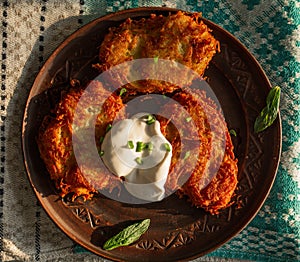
270	30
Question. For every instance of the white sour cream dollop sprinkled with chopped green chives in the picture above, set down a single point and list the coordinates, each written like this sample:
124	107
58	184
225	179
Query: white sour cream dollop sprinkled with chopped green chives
145	172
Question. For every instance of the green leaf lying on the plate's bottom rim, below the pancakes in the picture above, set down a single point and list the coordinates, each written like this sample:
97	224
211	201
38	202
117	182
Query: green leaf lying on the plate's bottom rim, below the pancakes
128	235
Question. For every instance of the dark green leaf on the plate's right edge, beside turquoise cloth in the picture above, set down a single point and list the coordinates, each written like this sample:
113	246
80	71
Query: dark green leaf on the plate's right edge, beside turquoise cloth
269	113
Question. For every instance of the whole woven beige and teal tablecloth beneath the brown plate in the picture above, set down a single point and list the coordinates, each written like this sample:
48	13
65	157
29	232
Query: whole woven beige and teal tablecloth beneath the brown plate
30	32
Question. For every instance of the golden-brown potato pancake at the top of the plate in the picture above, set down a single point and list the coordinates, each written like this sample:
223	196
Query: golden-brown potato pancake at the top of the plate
179	37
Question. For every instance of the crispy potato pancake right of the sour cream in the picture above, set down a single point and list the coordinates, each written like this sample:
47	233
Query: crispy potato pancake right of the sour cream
210	168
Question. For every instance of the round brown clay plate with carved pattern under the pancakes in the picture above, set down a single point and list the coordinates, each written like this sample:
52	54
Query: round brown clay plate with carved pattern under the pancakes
178	231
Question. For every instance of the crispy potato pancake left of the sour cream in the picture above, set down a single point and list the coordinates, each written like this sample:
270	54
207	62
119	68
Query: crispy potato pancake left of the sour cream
55	140
